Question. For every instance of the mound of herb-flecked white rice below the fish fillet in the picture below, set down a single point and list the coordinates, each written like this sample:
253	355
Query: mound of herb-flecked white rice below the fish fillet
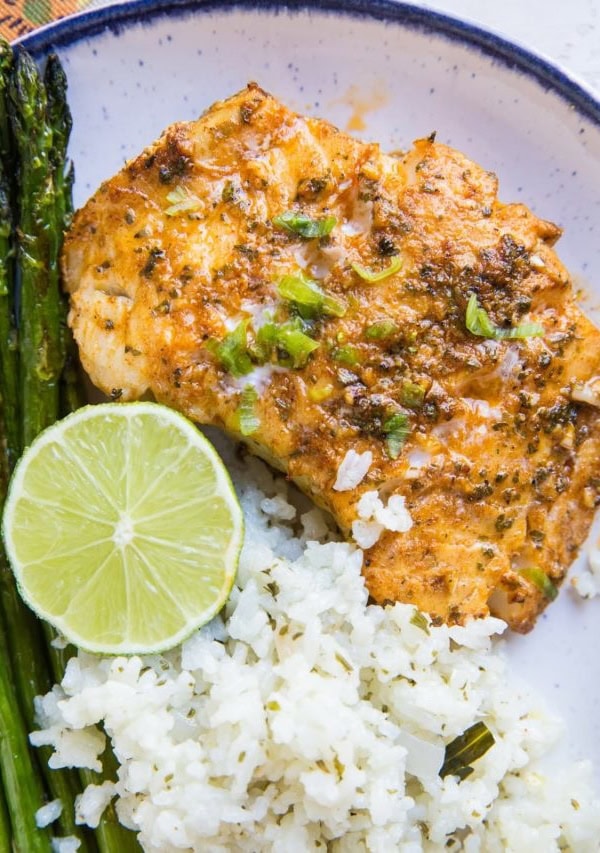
306	719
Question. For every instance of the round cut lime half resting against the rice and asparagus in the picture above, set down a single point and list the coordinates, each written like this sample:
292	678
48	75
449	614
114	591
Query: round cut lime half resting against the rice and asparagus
123	528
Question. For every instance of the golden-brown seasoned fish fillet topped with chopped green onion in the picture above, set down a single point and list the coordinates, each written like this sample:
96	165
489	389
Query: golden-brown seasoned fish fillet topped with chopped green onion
231	271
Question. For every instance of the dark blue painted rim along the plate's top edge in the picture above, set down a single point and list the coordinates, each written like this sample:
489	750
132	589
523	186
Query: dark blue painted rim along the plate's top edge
116	17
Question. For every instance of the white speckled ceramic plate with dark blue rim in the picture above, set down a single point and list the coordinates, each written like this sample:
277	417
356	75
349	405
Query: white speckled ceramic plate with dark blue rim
387	72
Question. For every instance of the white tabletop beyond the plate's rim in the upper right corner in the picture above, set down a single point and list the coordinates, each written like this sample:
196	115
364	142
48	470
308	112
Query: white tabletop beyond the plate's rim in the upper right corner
565	31
